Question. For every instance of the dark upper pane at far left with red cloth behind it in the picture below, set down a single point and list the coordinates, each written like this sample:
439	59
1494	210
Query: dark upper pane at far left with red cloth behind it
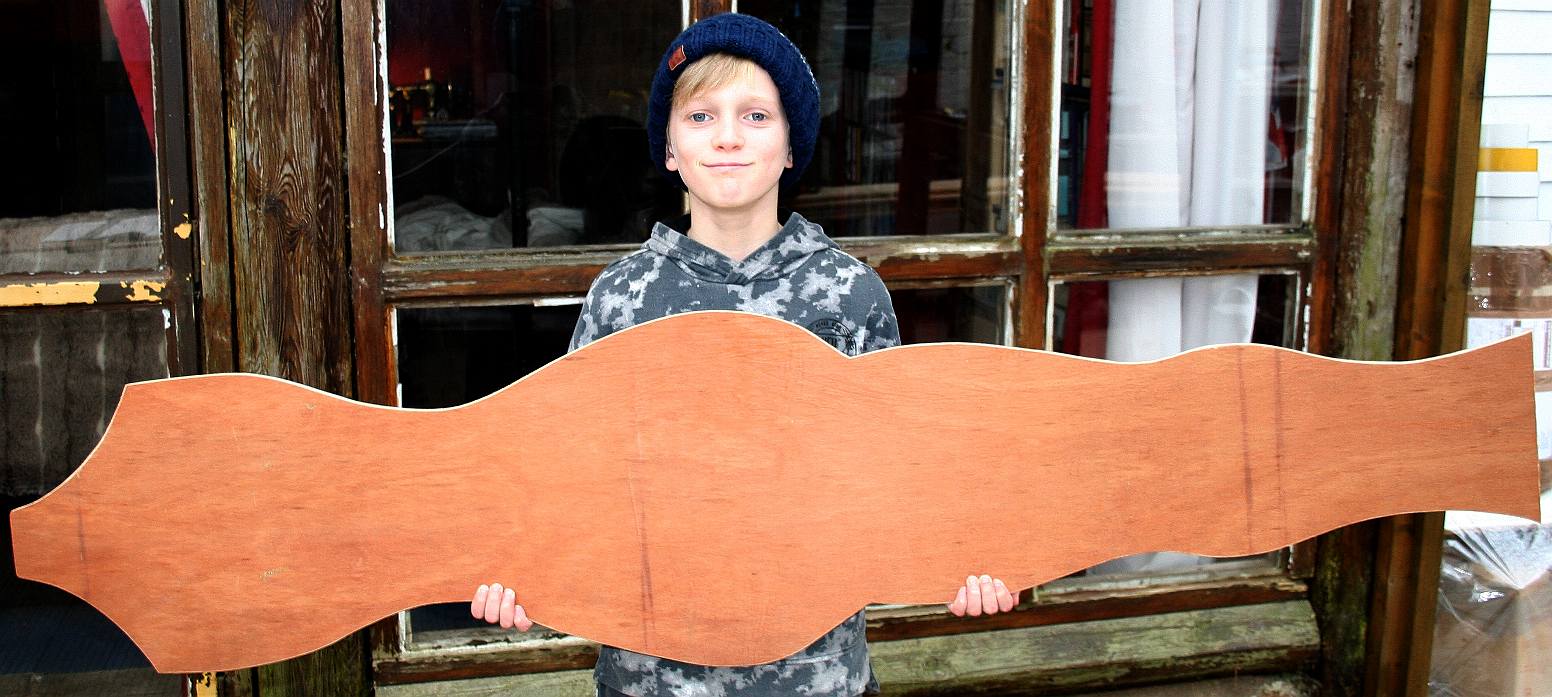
80	120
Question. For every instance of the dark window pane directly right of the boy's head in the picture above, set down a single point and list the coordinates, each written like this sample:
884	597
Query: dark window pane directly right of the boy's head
913	114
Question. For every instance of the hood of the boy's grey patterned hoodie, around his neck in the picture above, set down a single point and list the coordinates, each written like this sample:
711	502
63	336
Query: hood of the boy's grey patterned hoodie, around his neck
794	244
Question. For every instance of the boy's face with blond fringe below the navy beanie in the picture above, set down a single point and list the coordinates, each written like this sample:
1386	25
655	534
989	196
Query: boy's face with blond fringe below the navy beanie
730	144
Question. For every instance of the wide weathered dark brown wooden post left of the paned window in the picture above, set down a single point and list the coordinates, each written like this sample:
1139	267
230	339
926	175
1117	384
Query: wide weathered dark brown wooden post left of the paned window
288	178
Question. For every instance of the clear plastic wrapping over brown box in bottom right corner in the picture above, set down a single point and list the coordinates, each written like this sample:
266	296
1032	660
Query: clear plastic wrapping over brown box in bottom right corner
1494	634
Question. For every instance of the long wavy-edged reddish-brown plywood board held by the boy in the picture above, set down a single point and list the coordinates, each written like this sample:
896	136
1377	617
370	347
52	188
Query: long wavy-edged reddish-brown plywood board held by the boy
234	521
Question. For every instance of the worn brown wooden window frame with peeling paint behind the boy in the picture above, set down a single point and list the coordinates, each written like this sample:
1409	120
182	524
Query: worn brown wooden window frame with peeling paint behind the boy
1031	260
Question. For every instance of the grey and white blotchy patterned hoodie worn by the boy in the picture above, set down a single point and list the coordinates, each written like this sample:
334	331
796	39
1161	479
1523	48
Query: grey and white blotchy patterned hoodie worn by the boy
799	276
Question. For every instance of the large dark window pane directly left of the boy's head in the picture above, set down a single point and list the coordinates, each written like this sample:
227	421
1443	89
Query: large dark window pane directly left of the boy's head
522	125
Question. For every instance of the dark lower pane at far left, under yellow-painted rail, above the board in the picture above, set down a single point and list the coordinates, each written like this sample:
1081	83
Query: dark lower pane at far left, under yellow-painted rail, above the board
61	375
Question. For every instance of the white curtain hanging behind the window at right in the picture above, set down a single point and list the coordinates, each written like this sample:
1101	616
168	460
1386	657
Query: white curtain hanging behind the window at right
1188	148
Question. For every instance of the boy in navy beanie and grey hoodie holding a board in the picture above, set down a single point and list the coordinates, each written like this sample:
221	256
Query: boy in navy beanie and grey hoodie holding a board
733	119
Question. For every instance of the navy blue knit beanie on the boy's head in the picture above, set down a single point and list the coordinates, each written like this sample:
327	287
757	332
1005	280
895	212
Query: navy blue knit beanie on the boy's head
746	36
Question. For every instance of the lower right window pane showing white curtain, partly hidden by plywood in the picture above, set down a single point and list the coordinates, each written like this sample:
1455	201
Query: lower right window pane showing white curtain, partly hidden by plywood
1159	317
